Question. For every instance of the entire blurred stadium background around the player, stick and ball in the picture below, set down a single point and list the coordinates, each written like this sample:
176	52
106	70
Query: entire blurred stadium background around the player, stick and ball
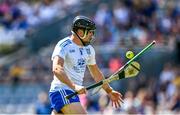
29	30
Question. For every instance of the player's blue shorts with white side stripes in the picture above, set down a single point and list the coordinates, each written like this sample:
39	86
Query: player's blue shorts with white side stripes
58	100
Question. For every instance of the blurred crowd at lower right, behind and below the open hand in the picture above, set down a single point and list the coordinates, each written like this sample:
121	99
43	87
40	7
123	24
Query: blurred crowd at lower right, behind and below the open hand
155	95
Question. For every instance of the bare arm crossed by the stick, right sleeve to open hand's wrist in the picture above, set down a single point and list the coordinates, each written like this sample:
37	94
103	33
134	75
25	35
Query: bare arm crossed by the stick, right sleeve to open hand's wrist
98	76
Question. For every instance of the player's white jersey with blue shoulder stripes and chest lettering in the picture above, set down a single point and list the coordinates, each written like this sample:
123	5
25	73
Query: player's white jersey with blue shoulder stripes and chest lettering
75	60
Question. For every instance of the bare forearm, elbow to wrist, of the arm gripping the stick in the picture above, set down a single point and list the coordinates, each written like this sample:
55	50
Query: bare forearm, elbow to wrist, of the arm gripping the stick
61	75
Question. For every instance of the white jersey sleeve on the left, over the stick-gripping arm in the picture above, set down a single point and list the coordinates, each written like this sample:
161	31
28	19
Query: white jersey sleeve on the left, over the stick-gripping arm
58	51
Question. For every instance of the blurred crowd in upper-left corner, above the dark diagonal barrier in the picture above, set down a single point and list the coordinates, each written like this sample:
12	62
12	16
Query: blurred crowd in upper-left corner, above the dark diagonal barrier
17	17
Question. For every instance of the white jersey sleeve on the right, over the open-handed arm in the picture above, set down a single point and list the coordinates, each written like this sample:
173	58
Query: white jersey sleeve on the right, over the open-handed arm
92	59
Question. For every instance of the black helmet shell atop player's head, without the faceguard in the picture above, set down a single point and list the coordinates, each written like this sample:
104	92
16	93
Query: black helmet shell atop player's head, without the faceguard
82	22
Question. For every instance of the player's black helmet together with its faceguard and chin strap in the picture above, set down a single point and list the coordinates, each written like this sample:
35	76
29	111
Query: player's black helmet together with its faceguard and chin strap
84	23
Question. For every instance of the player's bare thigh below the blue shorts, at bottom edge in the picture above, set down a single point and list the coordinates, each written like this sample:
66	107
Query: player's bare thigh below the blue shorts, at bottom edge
74	108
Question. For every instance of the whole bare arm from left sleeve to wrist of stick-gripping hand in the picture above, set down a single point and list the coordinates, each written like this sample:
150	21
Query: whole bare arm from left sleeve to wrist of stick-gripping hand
59	72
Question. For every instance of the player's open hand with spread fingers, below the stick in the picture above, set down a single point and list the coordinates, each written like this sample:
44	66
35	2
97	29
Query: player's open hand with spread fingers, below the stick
116	98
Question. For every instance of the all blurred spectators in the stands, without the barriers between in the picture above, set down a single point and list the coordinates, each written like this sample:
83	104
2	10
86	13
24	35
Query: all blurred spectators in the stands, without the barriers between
122	23
